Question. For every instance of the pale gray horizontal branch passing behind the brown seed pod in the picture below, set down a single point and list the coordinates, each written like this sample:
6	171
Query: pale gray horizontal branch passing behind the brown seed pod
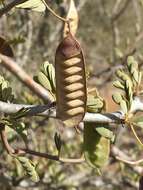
50	111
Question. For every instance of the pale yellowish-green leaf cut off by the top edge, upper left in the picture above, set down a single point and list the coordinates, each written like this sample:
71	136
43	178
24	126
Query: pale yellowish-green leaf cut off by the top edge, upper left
34	5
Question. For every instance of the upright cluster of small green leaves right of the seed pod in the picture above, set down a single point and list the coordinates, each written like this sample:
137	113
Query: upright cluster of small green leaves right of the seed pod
128	81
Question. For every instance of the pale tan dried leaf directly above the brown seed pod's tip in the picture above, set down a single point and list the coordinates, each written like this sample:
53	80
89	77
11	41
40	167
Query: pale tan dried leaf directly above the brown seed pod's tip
73	17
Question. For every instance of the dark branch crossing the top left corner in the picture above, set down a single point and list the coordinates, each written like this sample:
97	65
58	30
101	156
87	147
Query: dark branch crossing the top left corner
11	5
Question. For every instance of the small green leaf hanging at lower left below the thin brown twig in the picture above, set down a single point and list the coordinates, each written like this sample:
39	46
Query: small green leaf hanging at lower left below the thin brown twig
29	168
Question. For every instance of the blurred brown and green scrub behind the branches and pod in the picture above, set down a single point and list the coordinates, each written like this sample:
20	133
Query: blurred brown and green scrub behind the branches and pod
108	31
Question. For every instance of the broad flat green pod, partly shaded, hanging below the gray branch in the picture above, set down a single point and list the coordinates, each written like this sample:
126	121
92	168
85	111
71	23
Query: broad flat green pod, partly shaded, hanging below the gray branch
96	147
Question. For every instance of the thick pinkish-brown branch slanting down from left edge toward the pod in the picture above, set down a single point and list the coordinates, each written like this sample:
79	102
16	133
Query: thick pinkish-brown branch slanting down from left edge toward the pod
13	67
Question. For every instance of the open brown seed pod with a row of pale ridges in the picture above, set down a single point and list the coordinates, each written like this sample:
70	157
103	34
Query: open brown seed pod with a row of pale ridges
70	82
